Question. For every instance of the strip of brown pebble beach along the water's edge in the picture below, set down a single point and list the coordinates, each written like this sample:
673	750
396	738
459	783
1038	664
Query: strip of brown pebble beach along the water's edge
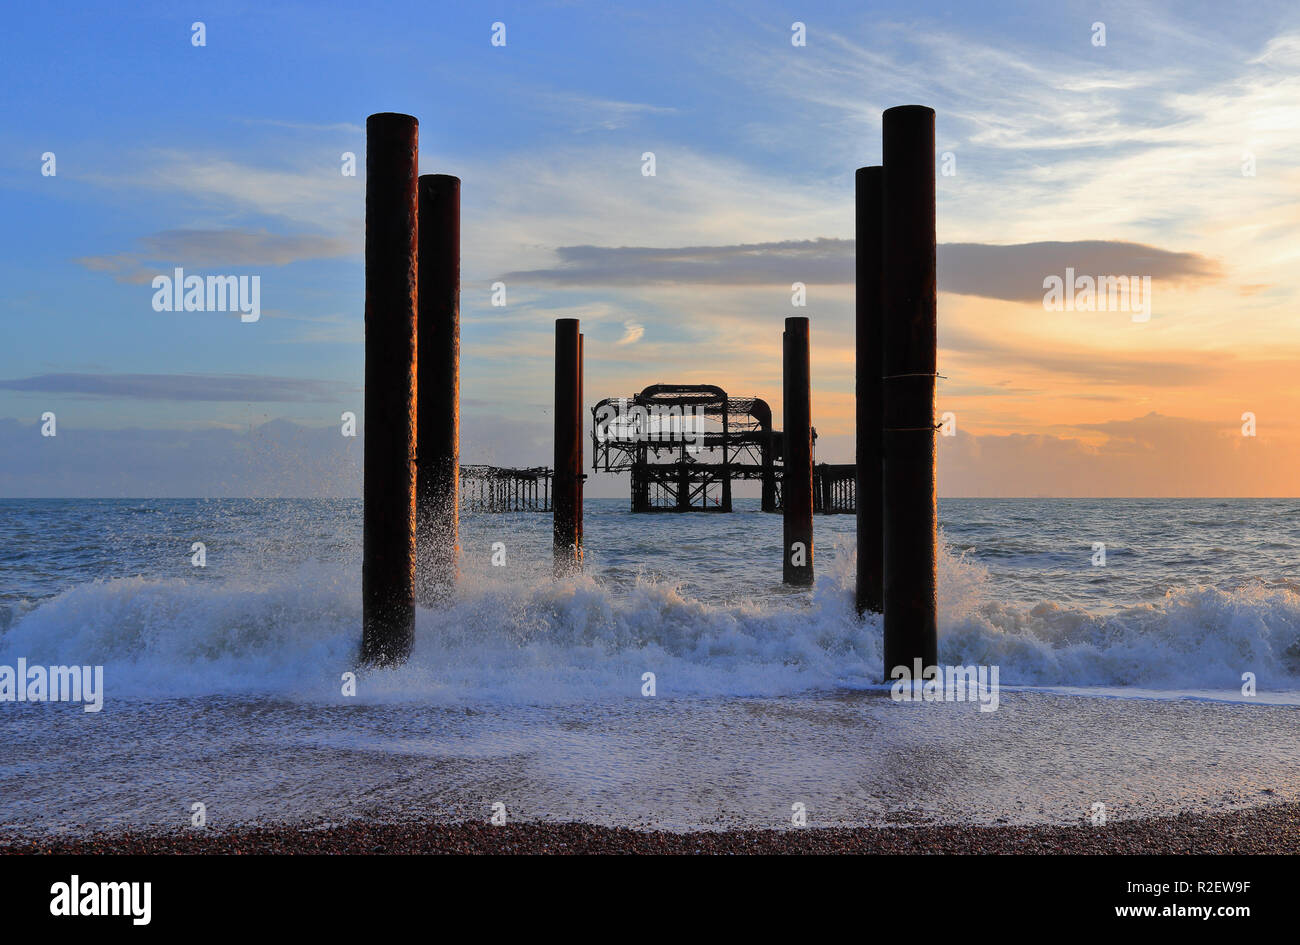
1269	830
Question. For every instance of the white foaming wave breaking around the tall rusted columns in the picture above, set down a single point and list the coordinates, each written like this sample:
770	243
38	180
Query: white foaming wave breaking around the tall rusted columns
293	635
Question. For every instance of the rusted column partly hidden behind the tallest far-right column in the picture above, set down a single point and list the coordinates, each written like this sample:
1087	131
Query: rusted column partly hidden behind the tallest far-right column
870	595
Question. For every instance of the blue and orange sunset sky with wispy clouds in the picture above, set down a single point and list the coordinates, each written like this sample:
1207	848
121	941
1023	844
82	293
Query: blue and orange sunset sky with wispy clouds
1171	151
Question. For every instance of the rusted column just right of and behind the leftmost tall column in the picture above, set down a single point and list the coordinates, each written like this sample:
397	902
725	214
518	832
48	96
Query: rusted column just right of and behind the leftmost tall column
439	417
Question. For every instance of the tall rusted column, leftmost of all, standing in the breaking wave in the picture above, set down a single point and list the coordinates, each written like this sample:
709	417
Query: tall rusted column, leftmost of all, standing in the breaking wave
388	558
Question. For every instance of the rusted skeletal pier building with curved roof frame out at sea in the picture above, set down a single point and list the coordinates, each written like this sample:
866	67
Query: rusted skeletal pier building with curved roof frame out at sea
686	444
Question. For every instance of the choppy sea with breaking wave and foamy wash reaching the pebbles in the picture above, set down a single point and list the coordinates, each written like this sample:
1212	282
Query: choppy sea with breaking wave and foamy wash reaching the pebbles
1149	657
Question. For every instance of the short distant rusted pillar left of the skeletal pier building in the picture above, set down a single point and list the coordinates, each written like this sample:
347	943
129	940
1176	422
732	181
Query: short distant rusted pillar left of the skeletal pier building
567	498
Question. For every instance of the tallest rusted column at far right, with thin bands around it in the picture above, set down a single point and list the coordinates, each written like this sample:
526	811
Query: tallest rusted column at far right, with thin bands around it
908	201
